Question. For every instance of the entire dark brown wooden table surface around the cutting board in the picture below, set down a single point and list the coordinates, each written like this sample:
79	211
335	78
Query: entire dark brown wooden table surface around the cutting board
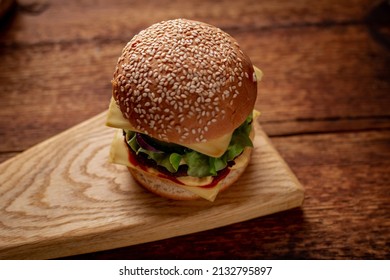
325	102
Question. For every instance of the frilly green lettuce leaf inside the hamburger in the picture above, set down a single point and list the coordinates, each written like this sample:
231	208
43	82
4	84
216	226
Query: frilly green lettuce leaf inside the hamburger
199	165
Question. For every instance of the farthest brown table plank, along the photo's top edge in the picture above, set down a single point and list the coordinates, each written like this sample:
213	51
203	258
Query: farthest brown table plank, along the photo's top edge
73	20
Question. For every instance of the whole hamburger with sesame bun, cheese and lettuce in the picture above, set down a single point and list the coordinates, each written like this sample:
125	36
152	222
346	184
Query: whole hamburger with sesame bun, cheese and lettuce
183	96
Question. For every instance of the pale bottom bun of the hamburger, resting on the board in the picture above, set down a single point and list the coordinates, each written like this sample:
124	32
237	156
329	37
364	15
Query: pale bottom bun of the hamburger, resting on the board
172	190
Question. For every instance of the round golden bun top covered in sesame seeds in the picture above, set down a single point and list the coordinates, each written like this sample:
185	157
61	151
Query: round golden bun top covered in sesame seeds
184	82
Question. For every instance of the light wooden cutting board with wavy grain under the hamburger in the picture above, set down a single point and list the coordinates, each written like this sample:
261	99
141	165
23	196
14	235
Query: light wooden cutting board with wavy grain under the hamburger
62	197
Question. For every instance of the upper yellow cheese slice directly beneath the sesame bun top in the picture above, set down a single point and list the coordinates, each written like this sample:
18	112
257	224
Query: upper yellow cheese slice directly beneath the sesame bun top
213	148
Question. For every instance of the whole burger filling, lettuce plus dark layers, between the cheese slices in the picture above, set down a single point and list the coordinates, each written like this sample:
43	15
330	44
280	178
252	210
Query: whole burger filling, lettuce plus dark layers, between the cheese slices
178	160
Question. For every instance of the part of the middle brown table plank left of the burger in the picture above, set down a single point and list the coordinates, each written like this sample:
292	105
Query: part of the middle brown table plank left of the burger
51	88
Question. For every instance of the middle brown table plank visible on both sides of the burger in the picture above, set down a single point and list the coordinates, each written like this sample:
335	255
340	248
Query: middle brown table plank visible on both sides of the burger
322	81
